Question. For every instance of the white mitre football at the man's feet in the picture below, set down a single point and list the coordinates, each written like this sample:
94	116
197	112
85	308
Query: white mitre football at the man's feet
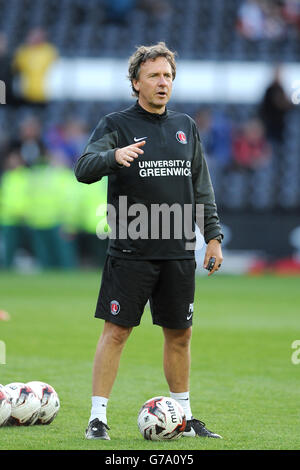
161	418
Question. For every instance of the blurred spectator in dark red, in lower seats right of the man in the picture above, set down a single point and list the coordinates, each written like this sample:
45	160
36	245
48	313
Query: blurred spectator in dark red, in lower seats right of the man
251	149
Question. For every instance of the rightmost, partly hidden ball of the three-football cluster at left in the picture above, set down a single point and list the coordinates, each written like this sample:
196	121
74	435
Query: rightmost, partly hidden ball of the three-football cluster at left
50	403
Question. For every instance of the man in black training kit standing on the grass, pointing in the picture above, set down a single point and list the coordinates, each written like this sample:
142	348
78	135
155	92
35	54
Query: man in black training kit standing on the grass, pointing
152	156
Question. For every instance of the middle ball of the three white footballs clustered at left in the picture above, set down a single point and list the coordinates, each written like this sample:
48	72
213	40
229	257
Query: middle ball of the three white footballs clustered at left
25	405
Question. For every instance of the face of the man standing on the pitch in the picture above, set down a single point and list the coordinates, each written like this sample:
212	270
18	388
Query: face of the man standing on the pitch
154	84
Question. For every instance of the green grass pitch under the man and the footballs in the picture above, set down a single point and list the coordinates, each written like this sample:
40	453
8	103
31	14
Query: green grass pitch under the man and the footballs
243	382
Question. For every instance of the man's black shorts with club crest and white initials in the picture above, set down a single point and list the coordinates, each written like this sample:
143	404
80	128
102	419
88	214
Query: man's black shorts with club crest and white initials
127	285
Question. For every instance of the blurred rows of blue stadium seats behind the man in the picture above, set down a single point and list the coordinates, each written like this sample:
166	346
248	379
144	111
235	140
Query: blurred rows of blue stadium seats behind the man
197	30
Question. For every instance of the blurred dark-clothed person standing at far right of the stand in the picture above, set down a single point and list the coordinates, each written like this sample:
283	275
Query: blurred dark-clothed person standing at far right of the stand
274	107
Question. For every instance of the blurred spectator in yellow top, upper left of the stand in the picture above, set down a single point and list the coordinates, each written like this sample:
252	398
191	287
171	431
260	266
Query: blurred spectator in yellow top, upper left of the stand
31	64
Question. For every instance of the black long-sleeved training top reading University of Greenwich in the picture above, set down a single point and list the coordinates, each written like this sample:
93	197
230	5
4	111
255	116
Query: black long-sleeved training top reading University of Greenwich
169	180
